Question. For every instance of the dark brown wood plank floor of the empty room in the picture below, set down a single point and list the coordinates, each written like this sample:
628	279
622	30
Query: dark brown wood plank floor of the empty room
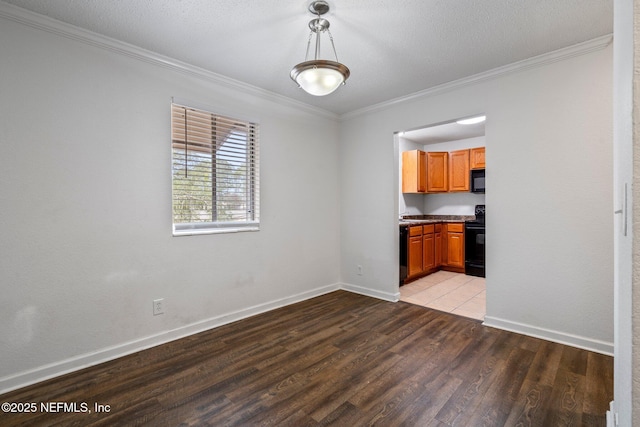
339	359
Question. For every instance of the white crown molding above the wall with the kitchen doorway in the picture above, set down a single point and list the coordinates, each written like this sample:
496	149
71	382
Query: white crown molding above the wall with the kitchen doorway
533	62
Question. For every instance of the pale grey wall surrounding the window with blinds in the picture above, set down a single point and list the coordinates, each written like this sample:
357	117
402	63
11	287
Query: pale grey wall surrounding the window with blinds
86	207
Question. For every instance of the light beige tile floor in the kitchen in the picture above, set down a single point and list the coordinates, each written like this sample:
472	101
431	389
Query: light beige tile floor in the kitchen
446	291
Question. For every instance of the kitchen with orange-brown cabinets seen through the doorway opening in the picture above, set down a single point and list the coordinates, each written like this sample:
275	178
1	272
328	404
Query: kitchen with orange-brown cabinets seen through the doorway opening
442	208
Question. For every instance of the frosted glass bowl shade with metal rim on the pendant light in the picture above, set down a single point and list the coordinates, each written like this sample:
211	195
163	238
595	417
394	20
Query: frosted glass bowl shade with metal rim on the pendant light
319	77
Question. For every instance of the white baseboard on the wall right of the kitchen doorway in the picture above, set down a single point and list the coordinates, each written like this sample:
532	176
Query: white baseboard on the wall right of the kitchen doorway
585	343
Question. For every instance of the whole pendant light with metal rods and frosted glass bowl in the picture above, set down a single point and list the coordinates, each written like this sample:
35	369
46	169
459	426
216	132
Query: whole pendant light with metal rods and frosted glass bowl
319	77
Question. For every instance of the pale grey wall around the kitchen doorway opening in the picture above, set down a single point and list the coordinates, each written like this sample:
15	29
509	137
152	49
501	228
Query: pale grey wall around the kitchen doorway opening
549	150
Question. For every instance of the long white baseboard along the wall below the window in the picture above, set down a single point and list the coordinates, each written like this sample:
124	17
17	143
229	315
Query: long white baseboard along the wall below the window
41	373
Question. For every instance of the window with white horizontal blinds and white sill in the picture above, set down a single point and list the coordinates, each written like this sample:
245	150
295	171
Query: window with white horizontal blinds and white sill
215	176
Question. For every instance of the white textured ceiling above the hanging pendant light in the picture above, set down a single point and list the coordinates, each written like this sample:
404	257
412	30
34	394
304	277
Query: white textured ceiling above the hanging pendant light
392	47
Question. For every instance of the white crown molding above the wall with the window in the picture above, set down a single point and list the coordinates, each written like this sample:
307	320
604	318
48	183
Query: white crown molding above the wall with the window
59	28
